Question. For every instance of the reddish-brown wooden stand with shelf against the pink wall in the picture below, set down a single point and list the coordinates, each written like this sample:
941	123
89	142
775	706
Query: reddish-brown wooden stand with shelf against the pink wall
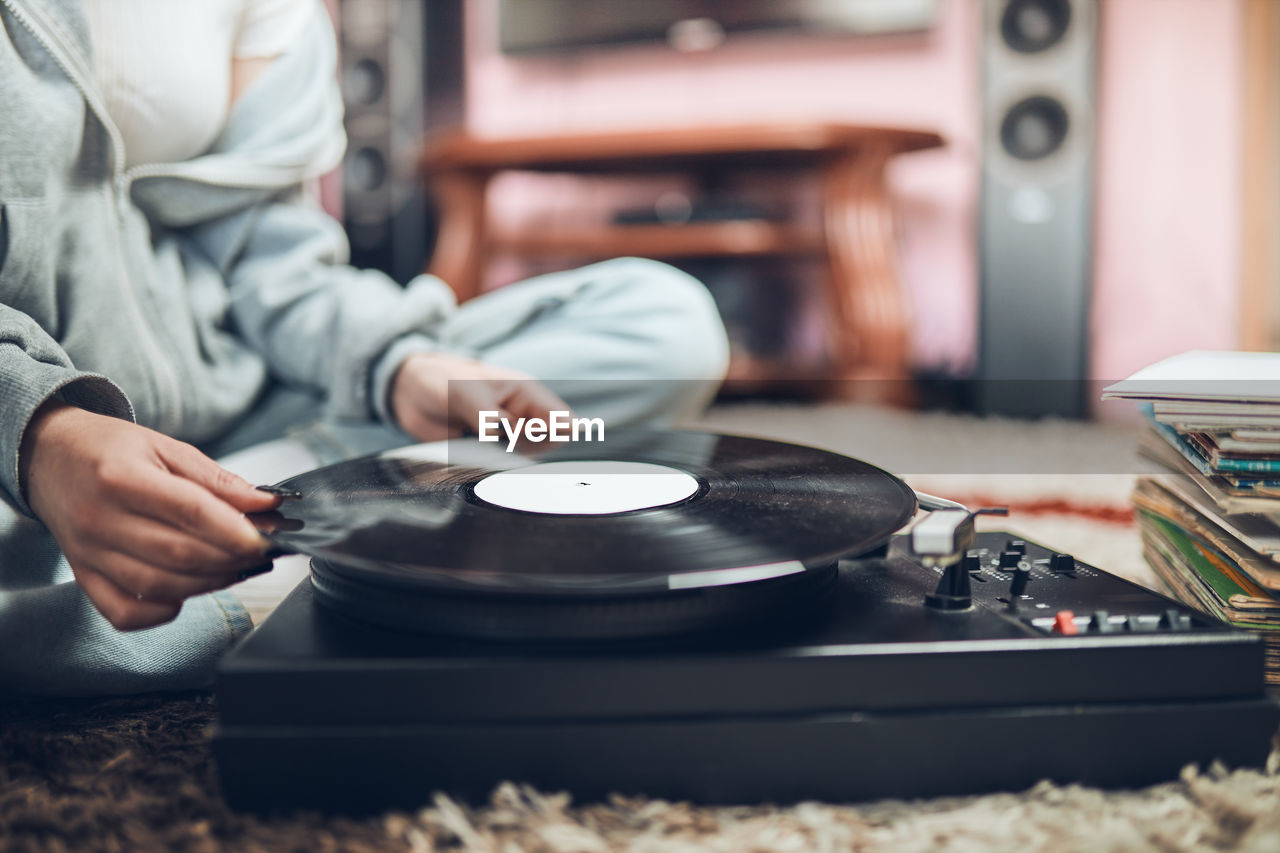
868	313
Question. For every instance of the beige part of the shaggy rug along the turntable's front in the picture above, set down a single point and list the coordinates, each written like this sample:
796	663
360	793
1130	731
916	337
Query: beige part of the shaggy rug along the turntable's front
1201	811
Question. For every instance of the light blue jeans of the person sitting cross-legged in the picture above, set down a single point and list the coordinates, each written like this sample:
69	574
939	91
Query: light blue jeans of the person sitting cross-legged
630	341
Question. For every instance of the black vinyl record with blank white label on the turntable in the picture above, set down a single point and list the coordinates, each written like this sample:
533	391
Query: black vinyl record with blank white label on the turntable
638	514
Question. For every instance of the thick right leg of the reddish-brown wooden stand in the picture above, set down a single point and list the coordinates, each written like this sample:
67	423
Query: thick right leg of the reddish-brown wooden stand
871	318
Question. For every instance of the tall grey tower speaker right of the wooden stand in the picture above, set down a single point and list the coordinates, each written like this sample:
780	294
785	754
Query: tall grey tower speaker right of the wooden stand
1039	61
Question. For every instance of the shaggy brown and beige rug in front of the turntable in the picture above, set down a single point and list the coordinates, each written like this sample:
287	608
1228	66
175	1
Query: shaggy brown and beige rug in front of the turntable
136	776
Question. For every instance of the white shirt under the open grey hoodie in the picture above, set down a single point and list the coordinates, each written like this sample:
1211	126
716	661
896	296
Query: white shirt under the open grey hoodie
164	66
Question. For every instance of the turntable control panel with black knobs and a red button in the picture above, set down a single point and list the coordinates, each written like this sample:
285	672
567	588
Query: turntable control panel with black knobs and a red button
1055	595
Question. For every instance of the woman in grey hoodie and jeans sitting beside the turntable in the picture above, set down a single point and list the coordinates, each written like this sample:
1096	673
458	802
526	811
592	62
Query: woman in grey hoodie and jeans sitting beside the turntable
170	293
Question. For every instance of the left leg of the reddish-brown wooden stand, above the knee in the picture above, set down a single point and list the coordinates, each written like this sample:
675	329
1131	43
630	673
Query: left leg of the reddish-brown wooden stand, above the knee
461	241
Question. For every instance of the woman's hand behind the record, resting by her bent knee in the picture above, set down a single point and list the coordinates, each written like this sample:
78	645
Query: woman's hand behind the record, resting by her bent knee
440	396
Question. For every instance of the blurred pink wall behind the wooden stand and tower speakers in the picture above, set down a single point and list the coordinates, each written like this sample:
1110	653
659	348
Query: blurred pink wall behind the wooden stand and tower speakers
1168	152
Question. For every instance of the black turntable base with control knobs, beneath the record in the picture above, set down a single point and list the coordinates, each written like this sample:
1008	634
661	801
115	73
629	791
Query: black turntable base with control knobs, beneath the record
1053	670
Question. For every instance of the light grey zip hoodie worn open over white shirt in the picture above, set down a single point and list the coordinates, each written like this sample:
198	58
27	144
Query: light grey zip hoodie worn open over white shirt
173	294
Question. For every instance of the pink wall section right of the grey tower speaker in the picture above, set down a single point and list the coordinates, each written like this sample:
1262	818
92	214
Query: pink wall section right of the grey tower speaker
1168	185
